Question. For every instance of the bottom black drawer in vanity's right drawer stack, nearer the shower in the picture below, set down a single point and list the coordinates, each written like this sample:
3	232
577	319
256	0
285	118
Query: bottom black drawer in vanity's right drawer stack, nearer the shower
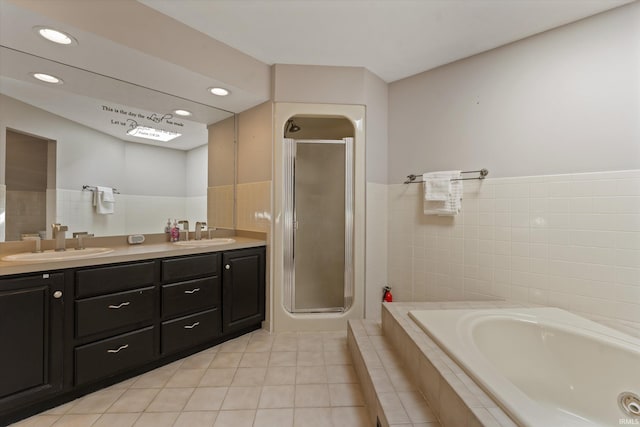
188	331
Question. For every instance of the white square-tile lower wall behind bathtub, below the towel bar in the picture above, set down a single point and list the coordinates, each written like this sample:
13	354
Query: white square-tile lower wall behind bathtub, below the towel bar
571	241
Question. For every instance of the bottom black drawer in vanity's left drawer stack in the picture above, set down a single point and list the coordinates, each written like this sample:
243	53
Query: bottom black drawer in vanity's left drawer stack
107	357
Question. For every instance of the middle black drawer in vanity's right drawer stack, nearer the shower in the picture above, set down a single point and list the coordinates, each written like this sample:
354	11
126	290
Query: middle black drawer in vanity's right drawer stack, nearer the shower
190	296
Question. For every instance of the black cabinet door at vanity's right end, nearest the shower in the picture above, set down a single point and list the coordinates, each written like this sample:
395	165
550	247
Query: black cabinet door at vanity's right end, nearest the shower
243	289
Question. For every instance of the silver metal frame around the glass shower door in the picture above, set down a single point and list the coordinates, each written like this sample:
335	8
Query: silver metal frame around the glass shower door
290	224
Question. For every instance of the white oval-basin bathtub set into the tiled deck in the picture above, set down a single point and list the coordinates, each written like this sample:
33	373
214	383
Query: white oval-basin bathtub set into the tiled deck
544	366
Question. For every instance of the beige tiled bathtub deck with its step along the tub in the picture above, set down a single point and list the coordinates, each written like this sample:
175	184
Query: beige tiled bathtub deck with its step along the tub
453	398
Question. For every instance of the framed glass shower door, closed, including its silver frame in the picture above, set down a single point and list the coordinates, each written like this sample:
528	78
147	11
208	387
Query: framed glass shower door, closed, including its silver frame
318	260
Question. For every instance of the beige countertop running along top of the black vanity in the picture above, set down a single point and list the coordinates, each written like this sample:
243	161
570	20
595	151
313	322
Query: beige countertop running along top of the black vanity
126	253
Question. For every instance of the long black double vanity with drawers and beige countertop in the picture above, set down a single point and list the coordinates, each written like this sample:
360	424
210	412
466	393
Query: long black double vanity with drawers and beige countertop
71	324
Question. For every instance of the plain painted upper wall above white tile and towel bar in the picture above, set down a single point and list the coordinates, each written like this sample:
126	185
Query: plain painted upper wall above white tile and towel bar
564	101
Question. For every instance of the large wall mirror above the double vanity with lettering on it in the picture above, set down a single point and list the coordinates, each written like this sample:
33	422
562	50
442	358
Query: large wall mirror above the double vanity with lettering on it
59	142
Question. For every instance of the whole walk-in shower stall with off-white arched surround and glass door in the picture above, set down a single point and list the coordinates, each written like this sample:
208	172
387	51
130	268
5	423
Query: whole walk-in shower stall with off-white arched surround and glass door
317	276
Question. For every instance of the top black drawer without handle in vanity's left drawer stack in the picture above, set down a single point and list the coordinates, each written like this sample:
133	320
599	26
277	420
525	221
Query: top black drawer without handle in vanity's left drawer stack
103	280
